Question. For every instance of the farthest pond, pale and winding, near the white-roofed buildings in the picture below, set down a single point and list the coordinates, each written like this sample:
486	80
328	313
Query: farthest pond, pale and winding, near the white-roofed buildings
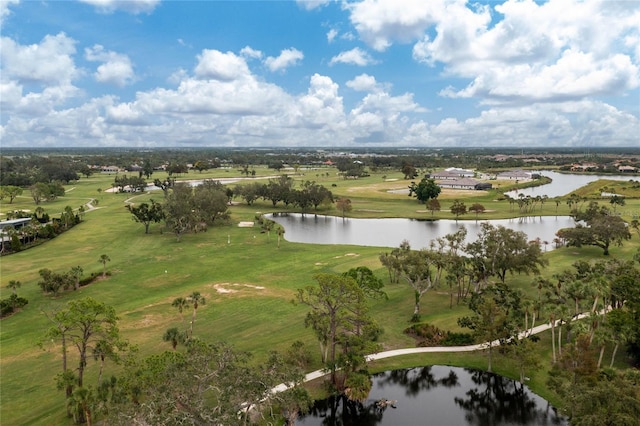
564	183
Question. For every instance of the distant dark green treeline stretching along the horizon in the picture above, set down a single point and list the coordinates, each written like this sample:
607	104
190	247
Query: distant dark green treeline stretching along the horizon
24	167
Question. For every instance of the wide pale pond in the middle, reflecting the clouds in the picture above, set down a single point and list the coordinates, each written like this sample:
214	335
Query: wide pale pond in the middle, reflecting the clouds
317	229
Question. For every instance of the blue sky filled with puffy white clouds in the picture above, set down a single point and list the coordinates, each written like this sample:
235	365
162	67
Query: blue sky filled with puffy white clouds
320	73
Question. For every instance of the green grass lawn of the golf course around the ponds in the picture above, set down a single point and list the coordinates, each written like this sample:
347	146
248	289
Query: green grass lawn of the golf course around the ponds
247	281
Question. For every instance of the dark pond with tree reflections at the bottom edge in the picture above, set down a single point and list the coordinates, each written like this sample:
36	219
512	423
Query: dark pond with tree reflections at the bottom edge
440	396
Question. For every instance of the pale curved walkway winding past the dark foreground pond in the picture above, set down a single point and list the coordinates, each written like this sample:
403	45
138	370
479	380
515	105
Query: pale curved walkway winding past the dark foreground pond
433	349
